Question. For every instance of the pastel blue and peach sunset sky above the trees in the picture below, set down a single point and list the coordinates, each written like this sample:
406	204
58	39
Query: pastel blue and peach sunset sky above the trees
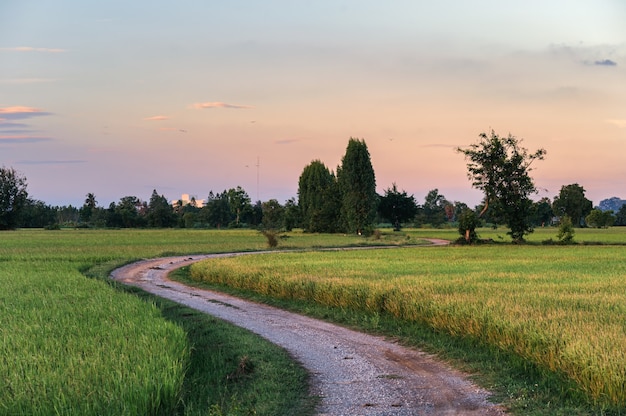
119	98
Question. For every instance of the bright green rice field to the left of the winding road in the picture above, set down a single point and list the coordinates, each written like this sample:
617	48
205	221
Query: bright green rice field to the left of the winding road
73	345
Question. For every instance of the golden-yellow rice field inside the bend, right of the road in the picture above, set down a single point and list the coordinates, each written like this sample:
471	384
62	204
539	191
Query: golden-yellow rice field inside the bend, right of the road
560	307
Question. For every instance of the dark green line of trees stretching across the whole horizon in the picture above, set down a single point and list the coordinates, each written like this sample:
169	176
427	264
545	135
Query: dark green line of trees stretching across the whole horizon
344	200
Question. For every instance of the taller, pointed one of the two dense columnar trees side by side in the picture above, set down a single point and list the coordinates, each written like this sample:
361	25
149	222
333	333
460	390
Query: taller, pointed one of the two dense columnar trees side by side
357	185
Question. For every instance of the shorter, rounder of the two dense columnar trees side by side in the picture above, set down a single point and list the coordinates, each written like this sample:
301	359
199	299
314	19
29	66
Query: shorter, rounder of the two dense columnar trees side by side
319	200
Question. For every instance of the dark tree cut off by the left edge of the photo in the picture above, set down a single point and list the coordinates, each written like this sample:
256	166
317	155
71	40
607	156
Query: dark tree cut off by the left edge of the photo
13	198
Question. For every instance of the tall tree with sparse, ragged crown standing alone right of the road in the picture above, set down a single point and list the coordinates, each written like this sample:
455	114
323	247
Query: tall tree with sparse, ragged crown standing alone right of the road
500	168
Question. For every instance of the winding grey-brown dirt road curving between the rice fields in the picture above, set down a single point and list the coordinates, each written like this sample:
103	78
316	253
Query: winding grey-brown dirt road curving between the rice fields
353	373
